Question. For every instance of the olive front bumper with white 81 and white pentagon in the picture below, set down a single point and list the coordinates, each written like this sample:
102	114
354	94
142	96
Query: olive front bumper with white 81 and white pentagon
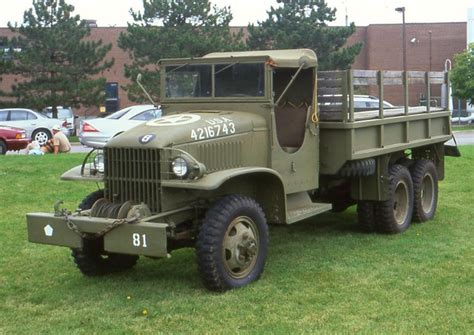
141	238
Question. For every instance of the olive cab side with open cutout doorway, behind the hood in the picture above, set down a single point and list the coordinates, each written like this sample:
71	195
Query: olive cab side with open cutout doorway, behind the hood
295	149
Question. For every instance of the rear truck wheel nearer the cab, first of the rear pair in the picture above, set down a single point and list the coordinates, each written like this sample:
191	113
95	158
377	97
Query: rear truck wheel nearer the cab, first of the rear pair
394	215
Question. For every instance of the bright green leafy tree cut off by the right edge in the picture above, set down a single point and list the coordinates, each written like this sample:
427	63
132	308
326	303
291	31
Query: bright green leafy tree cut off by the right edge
462	75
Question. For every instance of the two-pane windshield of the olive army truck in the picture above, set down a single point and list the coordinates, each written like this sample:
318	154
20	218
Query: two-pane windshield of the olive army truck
230	80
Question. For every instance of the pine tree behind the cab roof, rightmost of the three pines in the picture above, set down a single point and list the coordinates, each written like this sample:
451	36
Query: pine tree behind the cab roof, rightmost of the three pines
303	24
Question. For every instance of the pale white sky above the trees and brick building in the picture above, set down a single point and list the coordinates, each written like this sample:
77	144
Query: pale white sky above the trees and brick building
361	12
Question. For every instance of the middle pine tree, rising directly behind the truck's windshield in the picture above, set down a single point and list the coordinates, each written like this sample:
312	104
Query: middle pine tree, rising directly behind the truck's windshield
174	28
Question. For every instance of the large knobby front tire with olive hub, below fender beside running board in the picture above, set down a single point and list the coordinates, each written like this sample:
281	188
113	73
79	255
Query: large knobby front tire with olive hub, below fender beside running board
232	245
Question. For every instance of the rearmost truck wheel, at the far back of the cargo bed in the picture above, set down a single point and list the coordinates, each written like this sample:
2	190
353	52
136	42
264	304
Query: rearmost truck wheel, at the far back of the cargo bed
425	190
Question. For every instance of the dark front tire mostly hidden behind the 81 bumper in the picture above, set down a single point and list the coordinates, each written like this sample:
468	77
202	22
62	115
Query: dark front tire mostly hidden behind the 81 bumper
92	260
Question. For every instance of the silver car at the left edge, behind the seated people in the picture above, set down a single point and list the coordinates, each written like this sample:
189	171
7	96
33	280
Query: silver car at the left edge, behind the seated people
38	126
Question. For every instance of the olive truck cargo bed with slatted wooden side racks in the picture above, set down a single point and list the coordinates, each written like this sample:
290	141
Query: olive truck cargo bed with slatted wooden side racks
370	133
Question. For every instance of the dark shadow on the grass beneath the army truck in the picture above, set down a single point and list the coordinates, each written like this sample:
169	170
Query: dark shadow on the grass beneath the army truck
301	241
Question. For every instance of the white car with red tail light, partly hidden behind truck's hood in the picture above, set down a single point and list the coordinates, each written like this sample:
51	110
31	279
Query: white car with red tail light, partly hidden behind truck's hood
96	132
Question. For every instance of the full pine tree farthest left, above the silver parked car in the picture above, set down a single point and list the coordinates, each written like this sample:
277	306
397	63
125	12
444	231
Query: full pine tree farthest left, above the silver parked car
57	64
